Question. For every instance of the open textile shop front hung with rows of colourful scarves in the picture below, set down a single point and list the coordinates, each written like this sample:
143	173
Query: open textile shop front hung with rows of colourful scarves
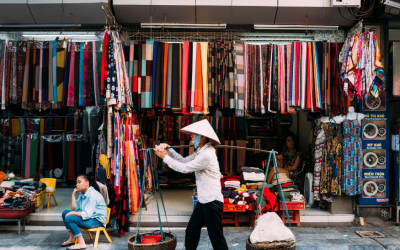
68	99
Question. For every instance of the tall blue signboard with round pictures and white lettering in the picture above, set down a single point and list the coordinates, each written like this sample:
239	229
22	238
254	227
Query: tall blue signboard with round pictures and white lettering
375	146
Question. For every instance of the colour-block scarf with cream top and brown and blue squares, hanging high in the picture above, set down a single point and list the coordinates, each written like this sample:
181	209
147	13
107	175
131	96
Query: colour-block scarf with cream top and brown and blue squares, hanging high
147	76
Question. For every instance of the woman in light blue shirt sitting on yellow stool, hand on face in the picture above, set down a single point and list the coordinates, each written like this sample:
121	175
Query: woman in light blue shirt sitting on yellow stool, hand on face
88	211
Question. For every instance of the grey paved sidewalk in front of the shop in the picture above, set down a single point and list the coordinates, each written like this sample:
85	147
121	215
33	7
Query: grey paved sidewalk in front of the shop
307	239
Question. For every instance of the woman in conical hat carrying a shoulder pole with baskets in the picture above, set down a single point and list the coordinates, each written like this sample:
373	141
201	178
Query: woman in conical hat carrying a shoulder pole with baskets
204	163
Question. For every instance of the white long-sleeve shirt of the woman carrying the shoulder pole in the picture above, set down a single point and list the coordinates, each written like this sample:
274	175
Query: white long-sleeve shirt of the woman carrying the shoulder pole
204	163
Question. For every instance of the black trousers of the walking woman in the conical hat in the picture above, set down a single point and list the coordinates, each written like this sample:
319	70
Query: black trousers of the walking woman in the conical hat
209	214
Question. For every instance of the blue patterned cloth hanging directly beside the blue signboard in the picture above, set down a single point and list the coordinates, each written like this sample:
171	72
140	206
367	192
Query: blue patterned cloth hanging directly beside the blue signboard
352	158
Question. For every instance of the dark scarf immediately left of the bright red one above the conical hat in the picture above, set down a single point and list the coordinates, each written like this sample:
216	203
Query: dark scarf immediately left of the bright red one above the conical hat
176	90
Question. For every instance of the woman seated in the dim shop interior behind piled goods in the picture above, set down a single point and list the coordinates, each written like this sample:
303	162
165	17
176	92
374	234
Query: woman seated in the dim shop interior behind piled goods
288	161
